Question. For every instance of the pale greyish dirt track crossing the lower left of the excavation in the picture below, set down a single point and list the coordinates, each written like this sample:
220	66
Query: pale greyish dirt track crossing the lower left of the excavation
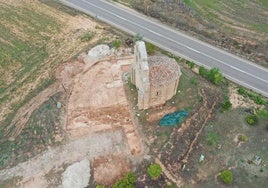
89	147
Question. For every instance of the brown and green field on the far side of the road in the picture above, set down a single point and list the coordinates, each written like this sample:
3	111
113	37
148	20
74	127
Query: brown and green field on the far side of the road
236	26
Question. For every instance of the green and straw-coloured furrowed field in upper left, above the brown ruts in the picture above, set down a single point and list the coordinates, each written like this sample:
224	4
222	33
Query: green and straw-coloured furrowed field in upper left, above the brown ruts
35	39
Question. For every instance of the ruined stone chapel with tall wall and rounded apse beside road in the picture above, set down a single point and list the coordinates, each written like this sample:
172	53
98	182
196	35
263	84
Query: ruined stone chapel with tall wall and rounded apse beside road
156	77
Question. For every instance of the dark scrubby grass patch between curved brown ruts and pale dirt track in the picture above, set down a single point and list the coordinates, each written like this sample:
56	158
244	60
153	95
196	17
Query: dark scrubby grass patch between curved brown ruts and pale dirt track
43	129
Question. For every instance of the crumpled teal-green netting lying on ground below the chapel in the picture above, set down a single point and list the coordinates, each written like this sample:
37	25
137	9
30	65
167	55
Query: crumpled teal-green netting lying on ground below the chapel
173	118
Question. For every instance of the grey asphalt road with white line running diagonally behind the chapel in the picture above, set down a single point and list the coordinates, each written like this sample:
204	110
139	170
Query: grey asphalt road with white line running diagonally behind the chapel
234	68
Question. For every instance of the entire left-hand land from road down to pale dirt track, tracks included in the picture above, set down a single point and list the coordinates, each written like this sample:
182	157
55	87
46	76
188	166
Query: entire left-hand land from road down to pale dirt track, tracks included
35	39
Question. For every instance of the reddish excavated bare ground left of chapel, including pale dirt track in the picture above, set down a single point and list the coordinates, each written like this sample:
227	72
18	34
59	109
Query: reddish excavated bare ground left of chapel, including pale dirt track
98	122
